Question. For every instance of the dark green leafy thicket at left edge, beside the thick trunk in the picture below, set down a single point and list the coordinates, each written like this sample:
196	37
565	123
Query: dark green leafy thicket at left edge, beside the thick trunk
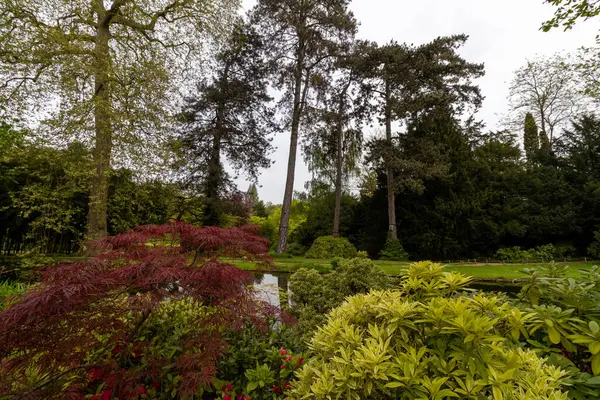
44	194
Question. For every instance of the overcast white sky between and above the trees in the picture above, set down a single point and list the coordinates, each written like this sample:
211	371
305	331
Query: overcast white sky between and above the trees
503	34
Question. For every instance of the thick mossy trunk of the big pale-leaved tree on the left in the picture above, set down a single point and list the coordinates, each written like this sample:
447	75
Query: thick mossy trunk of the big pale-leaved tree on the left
98	203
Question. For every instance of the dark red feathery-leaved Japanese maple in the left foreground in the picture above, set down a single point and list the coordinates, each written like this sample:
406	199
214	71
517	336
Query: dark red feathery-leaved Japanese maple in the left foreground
56	325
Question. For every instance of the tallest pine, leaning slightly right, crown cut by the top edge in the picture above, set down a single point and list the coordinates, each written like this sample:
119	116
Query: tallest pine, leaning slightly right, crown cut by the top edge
302	36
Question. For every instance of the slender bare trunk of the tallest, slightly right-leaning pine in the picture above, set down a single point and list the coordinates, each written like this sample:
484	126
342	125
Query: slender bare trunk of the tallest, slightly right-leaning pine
299	97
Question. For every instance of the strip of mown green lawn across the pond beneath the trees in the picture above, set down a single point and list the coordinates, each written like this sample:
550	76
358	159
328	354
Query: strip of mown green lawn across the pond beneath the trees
479	271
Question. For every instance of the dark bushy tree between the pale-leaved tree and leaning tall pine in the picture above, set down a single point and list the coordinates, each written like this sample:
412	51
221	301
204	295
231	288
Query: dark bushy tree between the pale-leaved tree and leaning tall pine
230	117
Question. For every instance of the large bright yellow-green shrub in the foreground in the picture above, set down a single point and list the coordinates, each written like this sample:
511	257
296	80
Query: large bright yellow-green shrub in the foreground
424	342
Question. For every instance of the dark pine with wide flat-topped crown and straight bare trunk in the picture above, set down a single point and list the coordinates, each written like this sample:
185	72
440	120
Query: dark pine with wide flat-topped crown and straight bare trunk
409	81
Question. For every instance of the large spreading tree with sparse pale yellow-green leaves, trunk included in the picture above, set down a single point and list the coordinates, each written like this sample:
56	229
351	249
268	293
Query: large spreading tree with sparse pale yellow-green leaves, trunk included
112	67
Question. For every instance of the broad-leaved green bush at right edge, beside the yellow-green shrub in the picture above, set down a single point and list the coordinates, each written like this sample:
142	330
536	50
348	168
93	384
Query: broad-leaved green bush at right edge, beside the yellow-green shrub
564	323
